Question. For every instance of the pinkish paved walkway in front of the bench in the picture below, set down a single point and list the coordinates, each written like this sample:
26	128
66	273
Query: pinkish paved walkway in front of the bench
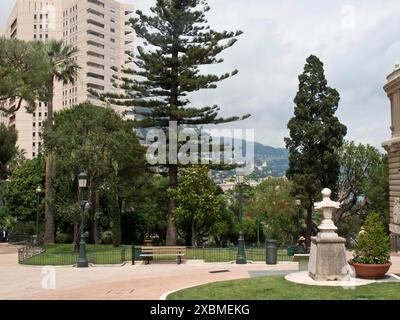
121	283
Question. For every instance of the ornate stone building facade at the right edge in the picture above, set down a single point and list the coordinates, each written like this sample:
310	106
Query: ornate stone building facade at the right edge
392	146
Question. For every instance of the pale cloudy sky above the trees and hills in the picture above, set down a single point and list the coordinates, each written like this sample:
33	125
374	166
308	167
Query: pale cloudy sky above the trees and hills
358	41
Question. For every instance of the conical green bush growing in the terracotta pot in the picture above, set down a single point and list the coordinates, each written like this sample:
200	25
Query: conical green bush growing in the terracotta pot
373	245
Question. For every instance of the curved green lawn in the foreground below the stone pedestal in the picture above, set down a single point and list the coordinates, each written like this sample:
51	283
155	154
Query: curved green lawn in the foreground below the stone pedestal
277	288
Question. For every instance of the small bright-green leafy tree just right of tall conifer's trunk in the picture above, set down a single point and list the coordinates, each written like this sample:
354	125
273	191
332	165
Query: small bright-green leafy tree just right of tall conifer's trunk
199	203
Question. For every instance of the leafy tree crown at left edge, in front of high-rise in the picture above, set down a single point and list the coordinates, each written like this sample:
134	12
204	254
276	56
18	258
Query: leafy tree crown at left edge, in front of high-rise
24	72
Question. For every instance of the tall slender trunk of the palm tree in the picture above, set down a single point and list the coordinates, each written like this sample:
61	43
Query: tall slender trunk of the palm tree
49	188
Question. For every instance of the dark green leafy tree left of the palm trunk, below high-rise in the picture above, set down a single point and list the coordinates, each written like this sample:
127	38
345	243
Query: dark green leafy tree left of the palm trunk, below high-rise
20	194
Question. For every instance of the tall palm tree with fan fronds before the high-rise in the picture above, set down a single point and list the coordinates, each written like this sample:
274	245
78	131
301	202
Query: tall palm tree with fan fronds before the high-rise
63	69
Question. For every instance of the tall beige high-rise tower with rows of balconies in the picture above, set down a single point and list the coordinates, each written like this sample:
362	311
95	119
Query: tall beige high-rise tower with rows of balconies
99	29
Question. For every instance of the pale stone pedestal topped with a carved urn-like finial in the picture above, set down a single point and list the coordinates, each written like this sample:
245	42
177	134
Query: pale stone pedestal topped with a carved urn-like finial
328	252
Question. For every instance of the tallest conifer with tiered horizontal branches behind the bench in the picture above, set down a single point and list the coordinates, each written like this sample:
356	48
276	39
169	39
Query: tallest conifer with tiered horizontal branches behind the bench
178	42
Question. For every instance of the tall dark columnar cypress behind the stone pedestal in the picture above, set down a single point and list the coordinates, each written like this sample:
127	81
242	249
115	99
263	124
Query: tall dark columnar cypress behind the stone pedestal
316	136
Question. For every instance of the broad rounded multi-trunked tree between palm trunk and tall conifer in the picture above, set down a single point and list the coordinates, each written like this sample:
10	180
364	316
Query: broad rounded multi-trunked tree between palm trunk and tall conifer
98	141
